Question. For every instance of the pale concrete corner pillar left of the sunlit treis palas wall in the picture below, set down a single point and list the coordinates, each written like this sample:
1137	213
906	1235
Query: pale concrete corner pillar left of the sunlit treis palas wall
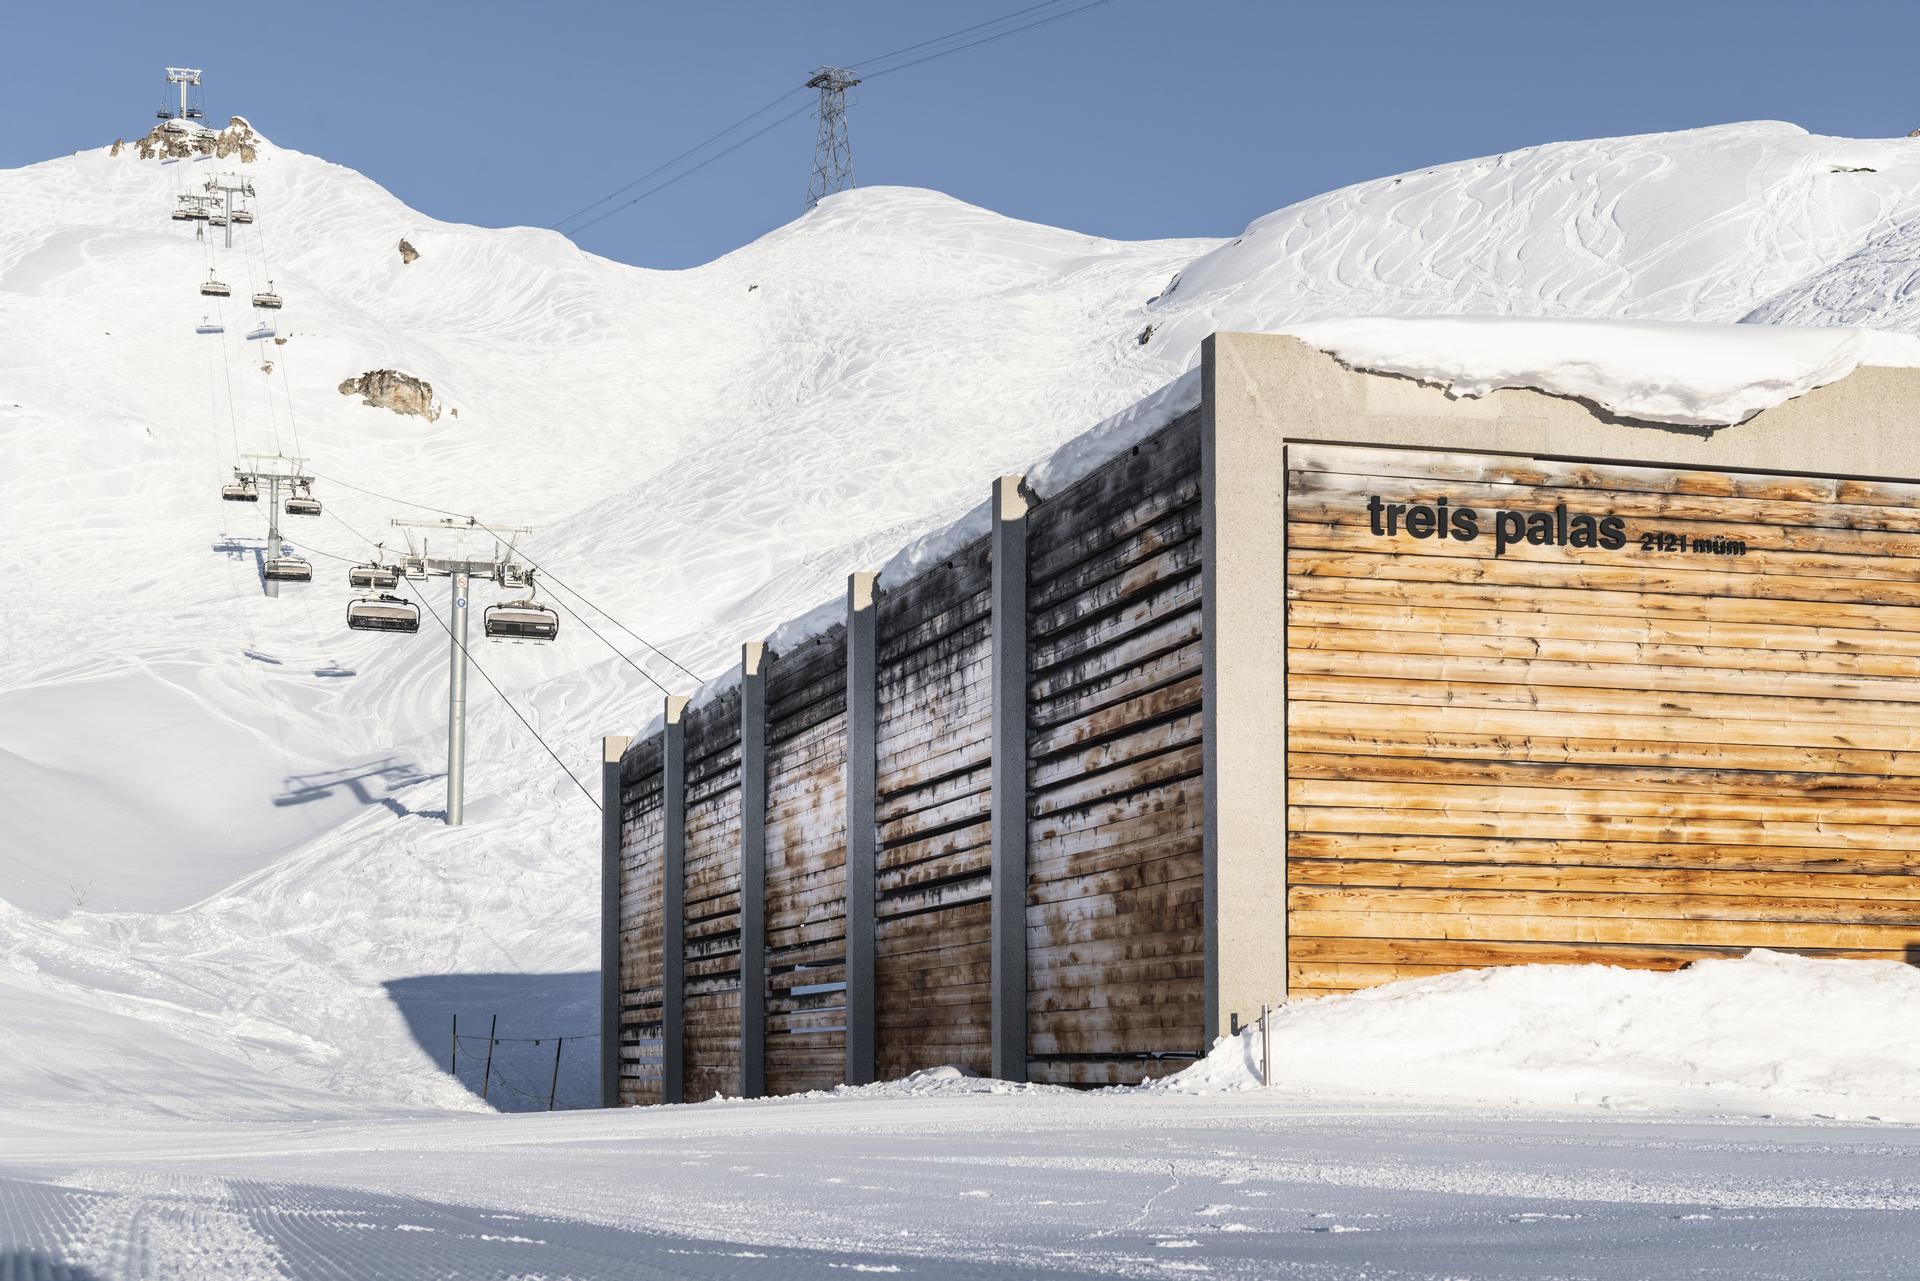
1243	706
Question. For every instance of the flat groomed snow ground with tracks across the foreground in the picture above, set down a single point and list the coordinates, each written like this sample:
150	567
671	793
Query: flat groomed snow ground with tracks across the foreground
1044	1184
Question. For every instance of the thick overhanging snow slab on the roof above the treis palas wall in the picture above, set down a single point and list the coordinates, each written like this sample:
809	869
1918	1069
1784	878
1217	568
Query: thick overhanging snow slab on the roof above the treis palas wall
1662	372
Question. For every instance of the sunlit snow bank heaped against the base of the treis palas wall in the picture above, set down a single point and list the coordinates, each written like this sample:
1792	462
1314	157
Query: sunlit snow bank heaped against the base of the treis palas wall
1767	1032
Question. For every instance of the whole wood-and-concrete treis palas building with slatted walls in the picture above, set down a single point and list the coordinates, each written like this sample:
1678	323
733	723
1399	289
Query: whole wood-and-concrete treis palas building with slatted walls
1330	683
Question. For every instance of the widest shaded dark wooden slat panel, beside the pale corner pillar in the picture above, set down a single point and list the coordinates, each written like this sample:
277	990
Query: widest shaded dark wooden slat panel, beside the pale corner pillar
1115	894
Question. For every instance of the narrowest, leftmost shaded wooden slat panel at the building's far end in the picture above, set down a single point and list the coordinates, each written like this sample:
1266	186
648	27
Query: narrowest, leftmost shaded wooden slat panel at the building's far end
640	925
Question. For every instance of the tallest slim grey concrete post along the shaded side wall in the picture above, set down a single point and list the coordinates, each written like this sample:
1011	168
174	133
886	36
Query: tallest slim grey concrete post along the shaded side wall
1009	779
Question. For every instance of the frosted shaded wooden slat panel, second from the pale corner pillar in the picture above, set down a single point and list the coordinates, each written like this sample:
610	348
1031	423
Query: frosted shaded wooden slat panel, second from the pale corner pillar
932	888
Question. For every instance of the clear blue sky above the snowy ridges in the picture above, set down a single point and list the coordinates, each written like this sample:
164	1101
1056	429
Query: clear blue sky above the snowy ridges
1140	118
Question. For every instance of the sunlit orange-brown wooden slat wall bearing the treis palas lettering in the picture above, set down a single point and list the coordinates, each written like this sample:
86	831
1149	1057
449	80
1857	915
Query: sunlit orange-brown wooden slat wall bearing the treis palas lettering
1589	756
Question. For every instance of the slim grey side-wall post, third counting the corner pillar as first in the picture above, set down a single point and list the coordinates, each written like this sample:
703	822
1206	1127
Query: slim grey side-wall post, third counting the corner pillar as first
863	836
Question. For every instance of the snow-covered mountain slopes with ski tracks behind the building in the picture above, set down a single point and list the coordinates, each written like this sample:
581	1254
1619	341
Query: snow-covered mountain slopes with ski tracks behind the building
222	884
